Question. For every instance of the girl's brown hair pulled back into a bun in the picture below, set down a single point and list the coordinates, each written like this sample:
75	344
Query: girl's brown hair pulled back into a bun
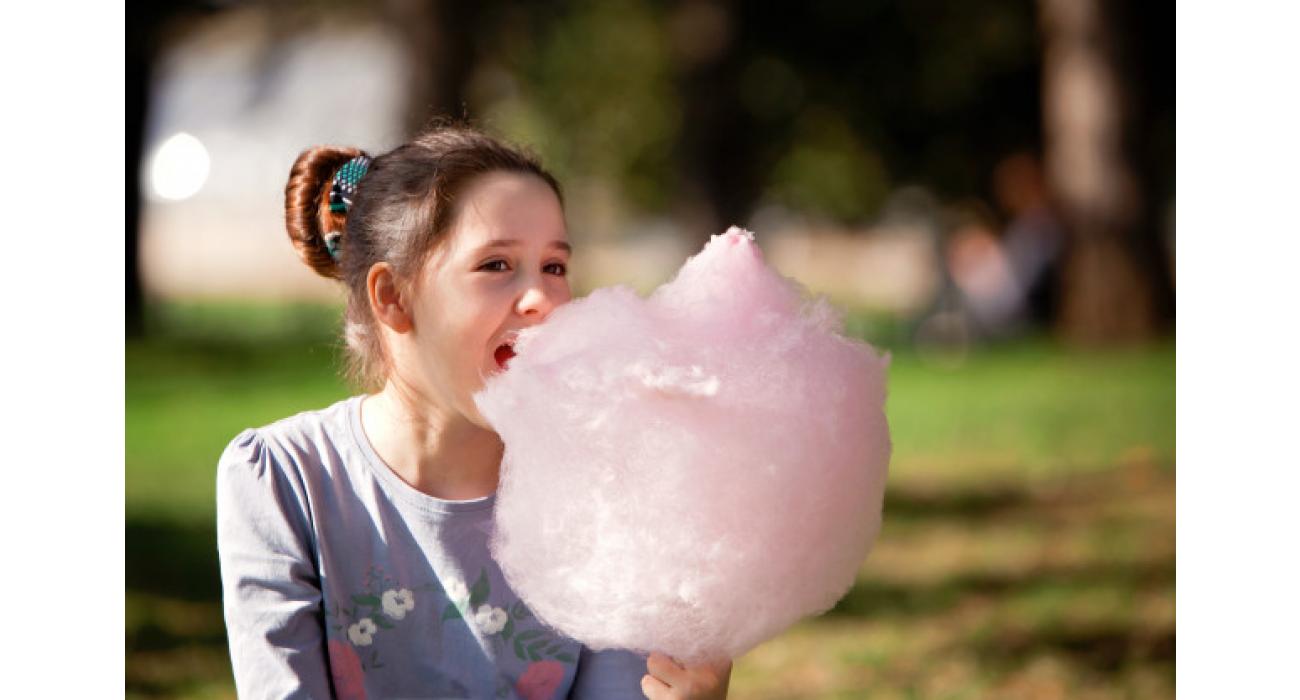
402	209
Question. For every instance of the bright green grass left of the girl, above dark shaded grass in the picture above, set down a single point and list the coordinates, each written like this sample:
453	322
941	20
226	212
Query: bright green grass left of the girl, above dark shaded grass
206	374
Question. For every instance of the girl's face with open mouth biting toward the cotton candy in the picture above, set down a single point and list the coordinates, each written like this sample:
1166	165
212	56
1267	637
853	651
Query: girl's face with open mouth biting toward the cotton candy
502	267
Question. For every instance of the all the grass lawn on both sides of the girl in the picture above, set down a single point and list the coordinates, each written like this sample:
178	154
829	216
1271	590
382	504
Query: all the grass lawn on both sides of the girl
1028	550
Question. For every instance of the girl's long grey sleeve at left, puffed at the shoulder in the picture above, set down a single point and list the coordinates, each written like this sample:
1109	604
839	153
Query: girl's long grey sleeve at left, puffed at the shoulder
271	587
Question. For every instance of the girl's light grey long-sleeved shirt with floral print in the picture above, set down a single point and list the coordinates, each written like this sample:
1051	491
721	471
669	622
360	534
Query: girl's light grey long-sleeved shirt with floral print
340	580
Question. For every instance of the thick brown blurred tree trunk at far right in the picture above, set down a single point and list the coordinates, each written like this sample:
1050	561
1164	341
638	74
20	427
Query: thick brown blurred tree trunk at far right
1107	289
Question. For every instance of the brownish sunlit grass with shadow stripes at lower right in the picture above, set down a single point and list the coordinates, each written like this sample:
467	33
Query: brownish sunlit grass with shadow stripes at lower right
1061	595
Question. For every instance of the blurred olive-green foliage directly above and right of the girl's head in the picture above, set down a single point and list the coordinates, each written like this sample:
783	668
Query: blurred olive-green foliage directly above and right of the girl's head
590	85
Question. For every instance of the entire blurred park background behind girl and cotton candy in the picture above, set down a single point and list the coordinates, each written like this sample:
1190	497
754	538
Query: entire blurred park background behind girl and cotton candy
986	189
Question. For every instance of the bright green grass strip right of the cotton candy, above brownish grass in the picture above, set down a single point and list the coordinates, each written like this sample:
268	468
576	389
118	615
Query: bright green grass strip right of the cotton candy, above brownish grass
1032	411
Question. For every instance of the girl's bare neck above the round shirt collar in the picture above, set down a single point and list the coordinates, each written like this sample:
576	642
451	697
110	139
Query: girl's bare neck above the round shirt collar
435	451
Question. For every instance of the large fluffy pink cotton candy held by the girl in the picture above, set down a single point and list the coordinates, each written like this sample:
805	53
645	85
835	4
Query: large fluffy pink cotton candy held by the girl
692	473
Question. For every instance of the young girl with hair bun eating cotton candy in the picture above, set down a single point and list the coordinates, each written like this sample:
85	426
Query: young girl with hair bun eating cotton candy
354	539
